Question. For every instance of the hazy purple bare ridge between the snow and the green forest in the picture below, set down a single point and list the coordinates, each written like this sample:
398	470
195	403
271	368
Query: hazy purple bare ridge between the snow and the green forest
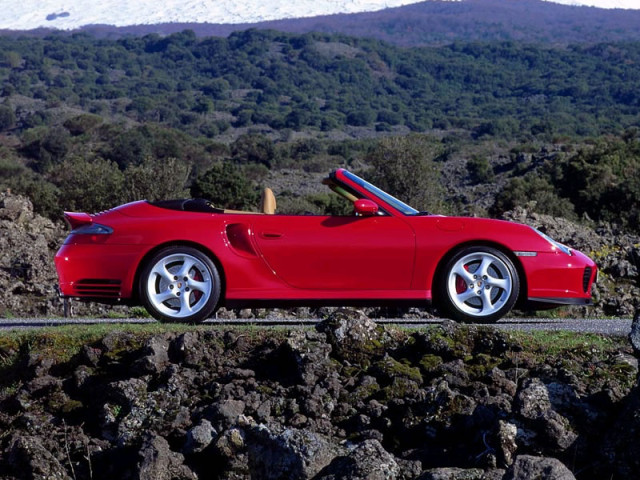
443	22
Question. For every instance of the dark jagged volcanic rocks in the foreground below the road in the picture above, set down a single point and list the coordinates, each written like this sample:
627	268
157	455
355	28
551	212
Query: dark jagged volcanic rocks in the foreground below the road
348	399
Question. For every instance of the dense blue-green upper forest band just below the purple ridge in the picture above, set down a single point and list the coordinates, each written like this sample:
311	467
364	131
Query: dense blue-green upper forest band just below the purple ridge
327	82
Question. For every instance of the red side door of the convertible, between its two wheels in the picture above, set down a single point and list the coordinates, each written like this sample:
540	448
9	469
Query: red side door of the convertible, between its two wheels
334	252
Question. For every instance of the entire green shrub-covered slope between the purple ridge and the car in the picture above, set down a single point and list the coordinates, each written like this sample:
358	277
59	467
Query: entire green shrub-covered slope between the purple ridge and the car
154	117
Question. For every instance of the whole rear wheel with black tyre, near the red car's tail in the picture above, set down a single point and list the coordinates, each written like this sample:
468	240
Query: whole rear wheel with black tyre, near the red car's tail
180	284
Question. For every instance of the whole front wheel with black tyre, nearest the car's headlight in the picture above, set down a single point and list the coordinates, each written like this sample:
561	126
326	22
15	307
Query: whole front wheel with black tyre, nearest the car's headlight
478	284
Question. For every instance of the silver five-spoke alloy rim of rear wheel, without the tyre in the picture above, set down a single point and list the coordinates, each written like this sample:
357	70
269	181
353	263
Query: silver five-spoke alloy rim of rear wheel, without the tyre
179	285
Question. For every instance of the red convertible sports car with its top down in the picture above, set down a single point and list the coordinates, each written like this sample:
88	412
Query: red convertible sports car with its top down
182	259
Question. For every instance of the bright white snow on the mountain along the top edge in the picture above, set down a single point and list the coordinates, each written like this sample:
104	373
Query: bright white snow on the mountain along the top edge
72	14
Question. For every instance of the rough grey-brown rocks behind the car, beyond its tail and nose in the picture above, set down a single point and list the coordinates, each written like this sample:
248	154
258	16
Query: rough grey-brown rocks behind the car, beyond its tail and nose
28	280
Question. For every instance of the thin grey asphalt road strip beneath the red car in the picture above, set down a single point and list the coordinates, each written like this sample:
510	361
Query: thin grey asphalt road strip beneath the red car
615	326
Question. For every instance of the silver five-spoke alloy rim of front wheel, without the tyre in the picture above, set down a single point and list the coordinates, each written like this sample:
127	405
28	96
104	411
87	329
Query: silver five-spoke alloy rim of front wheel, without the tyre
479	284
